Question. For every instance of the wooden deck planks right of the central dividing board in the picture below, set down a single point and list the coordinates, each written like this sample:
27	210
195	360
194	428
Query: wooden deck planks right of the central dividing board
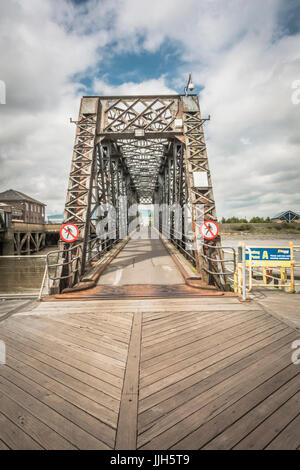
211	376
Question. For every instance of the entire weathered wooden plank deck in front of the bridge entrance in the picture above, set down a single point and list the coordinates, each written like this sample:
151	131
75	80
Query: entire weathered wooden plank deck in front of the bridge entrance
208	373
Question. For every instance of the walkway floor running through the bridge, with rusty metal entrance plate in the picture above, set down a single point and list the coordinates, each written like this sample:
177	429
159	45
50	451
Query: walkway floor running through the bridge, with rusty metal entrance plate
143	268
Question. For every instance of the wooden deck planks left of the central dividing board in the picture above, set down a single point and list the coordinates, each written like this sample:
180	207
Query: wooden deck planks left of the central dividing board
62	384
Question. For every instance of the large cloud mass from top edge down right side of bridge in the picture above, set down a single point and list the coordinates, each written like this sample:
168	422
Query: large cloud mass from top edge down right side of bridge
238	52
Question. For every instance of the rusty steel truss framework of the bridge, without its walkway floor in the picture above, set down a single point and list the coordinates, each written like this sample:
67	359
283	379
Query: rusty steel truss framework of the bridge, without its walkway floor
151	150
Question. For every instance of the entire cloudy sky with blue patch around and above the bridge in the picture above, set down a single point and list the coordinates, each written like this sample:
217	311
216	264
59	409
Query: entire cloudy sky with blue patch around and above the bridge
245	59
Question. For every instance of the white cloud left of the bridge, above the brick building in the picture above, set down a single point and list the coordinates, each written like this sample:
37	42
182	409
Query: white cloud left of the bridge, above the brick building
38	60
